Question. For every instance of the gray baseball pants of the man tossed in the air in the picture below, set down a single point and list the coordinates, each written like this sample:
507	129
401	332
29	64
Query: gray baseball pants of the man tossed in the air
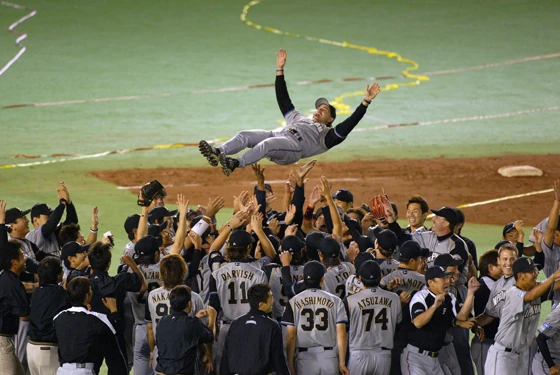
277	147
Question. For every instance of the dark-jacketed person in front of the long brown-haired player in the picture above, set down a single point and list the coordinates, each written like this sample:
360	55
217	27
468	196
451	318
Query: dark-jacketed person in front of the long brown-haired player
178	336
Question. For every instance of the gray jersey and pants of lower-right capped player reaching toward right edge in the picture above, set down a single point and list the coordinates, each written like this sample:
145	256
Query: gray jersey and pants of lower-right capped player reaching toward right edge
518	322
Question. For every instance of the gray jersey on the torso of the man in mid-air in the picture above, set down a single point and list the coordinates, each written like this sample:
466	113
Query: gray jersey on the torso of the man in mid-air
312	134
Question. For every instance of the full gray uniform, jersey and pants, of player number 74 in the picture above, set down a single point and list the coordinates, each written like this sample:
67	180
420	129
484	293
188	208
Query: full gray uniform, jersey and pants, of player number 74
374	314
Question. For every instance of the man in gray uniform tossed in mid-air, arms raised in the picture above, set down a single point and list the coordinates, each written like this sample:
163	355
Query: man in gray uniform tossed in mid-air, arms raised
301	138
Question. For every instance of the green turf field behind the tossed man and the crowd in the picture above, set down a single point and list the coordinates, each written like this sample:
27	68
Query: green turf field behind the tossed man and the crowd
166	52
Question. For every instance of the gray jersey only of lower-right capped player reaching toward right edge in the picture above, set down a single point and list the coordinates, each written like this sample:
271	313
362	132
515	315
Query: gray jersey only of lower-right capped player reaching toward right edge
519	321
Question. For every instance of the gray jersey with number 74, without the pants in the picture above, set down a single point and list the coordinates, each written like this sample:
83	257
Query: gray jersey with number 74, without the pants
373	315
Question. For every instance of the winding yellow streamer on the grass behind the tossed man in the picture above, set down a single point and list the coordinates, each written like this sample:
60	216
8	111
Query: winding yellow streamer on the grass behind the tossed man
338	102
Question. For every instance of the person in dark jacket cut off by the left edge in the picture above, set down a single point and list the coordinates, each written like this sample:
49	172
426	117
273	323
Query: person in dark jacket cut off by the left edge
14	305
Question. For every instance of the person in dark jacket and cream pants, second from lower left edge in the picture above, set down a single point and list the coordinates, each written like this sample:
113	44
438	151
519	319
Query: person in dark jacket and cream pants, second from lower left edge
47	301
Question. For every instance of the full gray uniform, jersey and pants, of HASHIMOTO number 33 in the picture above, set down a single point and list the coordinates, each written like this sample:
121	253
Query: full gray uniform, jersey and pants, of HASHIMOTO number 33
315	315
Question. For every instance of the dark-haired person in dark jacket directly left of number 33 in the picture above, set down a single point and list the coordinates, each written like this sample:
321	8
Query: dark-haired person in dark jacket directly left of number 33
254	343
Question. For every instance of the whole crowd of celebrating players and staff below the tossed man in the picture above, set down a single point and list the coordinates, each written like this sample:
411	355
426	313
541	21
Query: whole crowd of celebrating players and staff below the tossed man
324	286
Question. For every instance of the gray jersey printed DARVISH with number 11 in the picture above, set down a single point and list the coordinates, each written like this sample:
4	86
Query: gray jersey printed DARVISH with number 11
233	281
